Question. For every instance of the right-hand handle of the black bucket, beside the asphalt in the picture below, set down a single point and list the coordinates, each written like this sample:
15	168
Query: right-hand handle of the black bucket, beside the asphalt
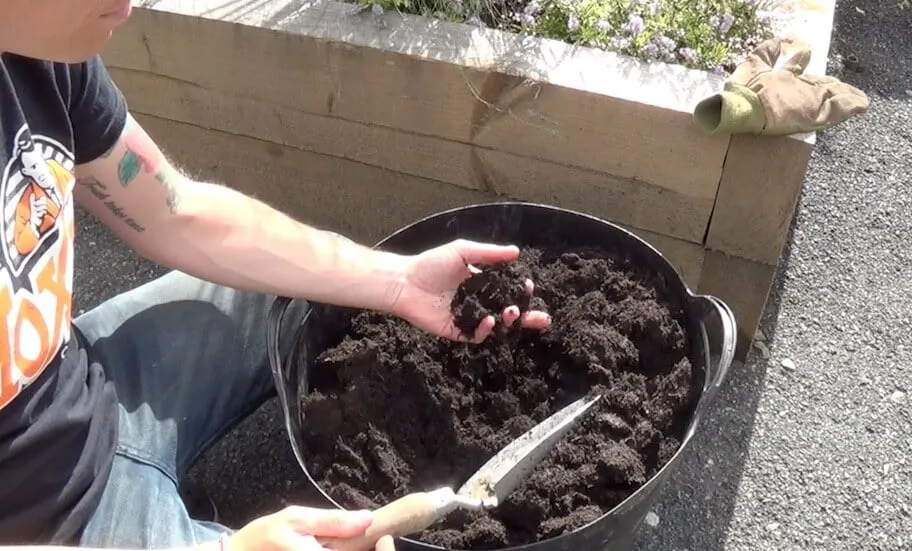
721	338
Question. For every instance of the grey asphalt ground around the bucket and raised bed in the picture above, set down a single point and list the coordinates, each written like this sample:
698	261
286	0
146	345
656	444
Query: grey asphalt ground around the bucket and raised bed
808	449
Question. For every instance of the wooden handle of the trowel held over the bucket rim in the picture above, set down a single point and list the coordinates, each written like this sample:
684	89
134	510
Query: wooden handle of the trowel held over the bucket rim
407	515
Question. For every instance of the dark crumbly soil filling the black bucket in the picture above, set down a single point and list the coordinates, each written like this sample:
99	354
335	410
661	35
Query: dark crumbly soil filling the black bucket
395	410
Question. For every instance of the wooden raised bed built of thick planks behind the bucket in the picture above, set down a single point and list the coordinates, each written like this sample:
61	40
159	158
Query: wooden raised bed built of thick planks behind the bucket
362	125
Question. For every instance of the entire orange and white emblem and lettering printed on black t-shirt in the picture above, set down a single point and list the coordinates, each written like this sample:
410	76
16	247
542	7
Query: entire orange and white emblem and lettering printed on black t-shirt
37	268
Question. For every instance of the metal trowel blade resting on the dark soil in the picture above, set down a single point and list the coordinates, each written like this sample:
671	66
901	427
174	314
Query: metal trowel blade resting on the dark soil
497	478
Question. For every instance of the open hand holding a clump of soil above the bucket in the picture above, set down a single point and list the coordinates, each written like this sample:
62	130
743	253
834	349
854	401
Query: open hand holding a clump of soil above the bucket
431	281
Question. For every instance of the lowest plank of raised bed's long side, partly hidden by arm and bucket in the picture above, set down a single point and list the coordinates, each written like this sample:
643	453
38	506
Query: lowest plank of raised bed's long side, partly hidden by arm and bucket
363	202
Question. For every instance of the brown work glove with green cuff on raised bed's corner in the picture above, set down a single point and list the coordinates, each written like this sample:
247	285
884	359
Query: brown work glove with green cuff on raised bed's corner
769	94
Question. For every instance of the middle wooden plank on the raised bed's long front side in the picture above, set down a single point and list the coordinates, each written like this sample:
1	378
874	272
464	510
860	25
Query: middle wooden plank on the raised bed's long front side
675	213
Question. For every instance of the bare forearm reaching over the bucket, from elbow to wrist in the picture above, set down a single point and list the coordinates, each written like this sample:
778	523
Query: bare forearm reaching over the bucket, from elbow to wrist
223	236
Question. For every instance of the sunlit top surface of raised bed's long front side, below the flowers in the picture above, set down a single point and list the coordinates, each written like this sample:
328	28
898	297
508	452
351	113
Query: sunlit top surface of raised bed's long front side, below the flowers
540	59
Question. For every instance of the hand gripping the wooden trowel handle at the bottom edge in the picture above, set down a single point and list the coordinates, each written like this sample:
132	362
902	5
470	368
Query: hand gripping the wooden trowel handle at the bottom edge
297	529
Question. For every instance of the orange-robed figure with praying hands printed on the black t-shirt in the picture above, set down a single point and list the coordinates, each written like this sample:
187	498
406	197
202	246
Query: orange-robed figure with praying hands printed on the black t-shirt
39	207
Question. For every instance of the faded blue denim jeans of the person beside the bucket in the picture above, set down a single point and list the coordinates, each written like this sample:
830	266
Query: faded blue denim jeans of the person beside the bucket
188	360
